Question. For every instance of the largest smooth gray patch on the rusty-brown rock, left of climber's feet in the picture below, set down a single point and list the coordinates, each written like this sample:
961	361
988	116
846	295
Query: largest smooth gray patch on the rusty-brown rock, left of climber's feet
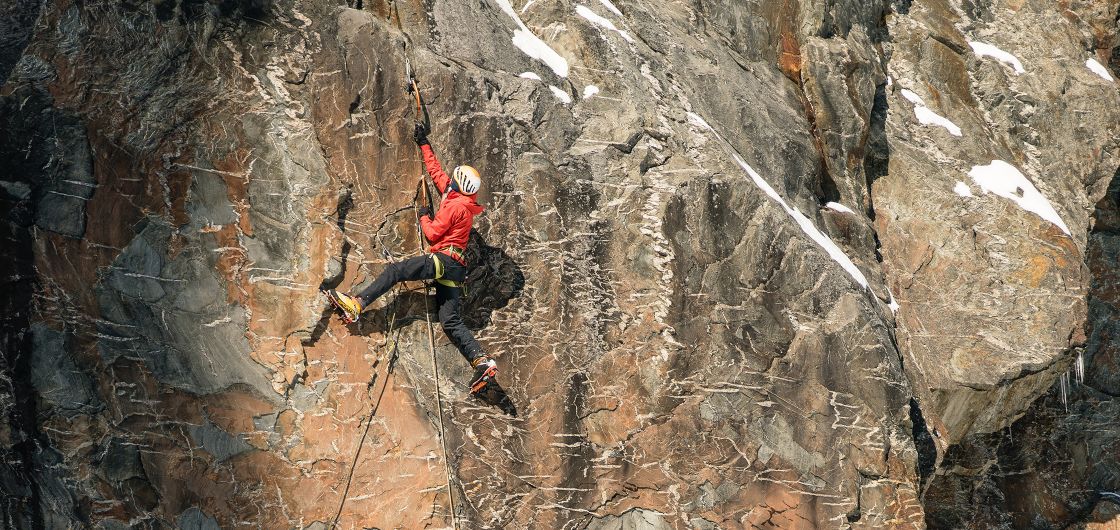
173	315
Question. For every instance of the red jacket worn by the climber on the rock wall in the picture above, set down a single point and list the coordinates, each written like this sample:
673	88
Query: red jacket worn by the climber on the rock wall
452	226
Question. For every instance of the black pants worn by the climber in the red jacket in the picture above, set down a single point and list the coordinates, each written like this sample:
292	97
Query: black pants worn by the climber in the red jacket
447	299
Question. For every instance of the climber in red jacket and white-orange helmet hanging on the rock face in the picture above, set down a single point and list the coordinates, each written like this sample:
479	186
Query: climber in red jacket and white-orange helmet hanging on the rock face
447	234
